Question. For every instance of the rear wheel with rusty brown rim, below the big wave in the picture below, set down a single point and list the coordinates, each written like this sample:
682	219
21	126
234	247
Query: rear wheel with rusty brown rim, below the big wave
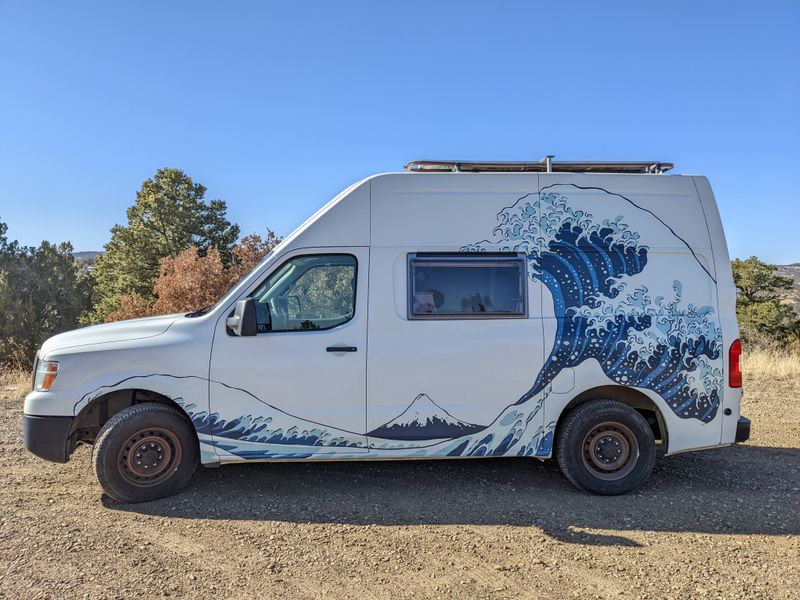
605	447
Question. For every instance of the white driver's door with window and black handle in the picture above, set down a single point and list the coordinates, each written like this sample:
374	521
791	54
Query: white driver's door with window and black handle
297	389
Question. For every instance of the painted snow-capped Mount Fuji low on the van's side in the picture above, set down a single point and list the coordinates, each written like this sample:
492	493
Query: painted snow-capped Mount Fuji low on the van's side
424	420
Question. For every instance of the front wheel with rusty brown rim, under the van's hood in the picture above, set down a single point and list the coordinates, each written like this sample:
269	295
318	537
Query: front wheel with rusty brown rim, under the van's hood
145	452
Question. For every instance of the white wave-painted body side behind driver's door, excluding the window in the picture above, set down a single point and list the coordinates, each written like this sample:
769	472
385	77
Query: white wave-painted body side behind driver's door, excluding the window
627	281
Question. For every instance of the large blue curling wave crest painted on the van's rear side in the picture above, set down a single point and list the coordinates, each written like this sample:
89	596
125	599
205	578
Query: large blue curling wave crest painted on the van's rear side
661	344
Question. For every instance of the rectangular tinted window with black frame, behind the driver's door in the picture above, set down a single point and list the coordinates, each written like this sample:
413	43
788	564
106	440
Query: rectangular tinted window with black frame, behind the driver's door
466	286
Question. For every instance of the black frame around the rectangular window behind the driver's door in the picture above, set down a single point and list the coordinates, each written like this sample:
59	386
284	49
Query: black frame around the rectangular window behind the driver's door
464	257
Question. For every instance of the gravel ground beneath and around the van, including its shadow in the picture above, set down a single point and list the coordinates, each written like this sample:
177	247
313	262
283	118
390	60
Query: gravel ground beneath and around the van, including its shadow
719	523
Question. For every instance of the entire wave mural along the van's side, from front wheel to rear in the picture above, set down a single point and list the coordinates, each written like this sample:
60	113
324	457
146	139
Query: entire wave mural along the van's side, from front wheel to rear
592	250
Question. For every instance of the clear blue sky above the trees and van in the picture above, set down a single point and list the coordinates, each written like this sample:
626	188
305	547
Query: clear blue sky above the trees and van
276	107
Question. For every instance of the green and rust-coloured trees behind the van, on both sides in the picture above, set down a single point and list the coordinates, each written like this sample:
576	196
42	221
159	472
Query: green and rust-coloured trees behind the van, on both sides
178	252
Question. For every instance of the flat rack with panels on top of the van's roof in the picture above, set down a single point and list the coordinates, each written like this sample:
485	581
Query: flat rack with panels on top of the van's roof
546	165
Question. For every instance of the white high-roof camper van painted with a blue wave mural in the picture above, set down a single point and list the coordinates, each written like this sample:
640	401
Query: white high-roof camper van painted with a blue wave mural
579	310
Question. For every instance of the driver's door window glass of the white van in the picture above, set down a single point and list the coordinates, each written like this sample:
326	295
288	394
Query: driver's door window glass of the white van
308	293
